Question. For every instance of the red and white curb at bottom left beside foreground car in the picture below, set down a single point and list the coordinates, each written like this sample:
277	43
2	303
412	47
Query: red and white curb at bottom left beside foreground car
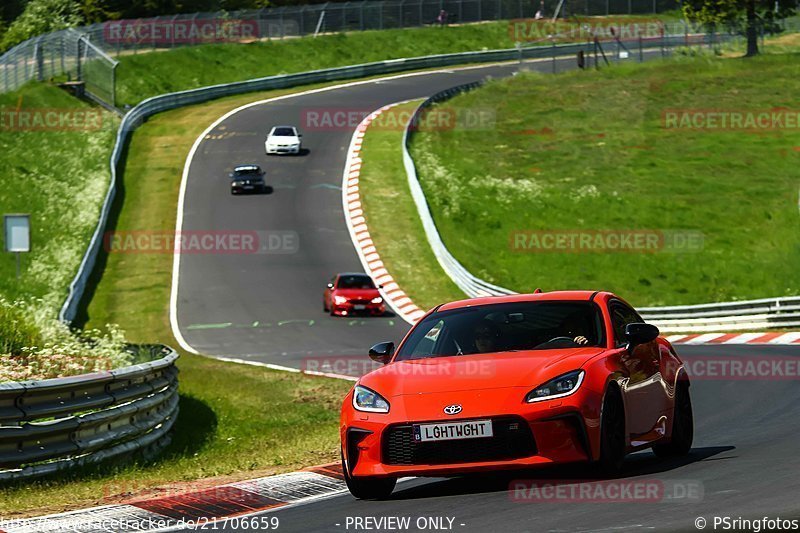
201	509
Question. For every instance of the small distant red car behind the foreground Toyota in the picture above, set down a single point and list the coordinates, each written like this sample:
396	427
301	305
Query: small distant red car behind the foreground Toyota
352	293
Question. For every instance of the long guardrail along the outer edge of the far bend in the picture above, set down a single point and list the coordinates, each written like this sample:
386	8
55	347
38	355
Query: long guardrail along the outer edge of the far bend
137	115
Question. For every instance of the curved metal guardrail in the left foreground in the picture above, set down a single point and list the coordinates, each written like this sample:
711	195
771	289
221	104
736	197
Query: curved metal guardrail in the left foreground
56	424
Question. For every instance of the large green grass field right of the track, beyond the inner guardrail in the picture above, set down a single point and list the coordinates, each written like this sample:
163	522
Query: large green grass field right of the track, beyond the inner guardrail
590	150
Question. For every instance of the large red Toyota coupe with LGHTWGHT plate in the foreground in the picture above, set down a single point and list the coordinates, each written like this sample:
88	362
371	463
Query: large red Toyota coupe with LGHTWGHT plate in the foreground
514	382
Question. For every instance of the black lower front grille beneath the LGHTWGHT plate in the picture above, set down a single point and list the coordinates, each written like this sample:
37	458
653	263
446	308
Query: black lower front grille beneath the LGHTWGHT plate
512	439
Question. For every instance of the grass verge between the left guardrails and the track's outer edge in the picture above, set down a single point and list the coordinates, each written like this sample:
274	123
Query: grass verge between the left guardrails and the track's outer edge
236	421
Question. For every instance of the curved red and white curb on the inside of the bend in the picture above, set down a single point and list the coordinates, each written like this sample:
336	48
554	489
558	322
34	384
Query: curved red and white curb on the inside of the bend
359	233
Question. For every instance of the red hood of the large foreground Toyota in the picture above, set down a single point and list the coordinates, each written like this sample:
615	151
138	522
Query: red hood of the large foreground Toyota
475	372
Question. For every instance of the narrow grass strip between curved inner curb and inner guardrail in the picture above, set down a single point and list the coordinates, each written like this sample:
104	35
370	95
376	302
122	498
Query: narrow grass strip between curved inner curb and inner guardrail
393	220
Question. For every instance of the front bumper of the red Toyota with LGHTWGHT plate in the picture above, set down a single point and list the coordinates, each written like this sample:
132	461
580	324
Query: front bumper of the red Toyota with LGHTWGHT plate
560	431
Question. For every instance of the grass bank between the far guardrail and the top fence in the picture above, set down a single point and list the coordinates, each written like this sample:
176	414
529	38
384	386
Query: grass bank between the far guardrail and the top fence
143	75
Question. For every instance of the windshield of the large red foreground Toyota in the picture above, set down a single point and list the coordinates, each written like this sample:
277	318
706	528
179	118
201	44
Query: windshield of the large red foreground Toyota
505	327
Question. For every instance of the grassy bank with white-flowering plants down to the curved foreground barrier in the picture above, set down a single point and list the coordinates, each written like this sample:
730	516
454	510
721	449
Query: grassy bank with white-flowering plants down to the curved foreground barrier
54	153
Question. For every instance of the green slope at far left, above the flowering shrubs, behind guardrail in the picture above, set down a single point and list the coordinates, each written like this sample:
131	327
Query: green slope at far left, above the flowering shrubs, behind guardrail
60	178
